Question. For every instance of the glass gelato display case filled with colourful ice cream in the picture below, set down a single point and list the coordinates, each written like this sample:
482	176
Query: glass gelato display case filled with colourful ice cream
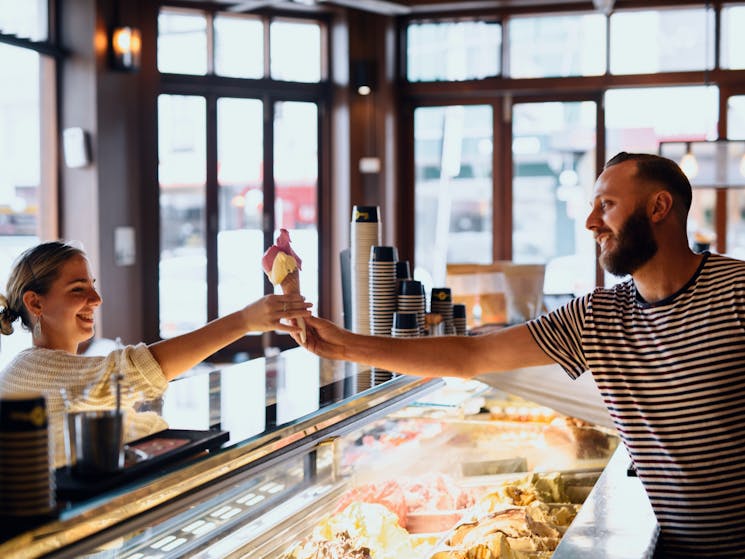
330	459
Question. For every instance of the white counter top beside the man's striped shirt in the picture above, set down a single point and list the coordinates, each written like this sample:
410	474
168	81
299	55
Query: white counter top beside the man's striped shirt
616	521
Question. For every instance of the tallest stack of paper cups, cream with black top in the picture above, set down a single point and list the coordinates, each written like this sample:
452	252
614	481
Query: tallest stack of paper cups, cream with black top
365	233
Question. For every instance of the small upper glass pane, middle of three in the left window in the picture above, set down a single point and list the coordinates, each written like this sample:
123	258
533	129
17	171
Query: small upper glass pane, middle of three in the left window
239	47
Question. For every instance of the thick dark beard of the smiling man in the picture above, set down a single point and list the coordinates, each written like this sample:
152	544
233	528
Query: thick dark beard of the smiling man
635	246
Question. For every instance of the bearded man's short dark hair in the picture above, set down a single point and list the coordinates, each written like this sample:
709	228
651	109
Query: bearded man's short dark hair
663	171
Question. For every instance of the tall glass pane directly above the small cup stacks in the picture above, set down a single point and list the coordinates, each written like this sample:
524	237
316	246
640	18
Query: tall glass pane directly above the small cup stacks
453	188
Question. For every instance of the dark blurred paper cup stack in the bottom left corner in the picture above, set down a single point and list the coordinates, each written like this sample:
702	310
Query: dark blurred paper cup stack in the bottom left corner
27	488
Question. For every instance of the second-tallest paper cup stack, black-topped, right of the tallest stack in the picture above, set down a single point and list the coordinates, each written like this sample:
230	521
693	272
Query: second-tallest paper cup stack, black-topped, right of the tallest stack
382	289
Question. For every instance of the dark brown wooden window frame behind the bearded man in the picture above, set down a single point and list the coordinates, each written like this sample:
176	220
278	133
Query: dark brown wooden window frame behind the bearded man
592	88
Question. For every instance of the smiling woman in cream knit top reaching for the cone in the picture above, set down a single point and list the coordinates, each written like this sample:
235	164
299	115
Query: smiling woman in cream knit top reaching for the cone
51	290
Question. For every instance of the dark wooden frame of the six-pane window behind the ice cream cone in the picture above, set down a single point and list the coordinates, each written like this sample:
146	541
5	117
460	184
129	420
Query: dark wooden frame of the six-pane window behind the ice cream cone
269	91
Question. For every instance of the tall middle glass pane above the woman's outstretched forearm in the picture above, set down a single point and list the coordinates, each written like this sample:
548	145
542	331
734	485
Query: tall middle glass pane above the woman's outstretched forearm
240	240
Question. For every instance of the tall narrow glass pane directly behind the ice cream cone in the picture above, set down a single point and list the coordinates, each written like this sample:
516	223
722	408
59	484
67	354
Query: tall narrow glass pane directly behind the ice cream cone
296	182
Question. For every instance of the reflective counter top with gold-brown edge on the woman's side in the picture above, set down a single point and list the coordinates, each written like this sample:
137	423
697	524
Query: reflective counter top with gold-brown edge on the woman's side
271	408
